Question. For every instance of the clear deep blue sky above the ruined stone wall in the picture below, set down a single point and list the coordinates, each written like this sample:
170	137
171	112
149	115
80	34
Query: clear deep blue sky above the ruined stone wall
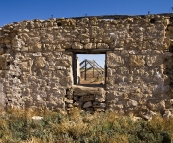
18	10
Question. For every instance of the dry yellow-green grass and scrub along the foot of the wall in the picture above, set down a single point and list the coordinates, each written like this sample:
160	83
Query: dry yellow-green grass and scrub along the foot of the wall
16	126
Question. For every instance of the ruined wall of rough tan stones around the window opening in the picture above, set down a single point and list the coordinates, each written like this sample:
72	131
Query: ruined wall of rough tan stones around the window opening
36	60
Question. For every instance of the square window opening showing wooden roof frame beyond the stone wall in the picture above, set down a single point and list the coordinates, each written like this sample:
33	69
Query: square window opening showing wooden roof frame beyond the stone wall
90	69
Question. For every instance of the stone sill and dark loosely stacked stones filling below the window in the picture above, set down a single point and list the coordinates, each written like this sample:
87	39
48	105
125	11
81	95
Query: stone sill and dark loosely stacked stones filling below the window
89	98
